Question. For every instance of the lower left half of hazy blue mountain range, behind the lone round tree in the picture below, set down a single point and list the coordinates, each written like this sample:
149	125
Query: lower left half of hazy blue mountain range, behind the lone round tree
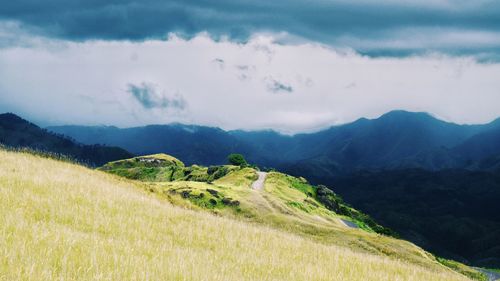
195	144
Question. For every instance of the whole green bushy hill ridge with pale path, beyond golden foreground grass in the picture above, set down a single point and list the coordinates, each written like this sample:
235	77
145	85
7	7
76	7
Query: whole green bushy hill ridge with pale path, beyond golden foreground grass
284	202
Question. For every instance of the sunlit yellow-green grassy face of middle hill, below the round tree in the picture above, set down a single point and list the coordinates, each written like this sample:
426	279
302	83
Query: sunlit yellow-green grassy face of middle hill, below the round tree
284	206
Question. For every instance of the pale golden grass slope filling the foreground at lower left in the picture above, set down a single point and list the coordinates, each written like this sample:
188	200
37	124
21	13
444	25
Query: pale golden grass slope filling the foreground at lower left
65	222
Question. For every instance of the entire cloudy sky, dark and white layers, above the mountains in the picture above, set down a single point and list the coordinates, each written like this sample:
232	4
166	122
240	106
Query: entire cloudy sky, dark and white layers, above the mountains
292	66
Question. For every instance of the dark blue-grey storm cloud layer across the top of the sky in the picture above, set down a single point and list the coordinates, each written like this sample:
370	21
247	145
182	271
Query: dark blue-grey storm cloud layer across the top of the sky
368	26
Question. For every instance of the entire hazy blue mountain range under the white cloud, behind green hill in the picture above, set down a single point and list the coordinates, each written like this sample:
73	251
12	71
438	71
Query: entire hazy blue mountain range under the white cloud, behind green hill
398	139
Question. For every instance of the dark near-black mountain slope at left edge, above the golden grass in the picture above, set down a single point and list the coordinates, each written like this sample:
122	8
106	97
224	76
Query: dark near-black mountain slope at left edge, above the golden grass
18	133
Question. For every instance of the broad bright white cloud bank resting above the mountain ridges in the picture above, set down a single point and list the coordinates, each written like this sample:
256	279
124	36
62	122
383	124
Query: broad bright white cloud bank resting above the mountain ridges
226	84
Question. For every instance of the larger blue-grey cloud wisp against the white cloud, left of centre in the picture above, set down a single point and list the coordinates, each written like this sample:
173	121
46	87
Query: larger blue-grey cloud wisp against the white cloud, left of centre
147	96
